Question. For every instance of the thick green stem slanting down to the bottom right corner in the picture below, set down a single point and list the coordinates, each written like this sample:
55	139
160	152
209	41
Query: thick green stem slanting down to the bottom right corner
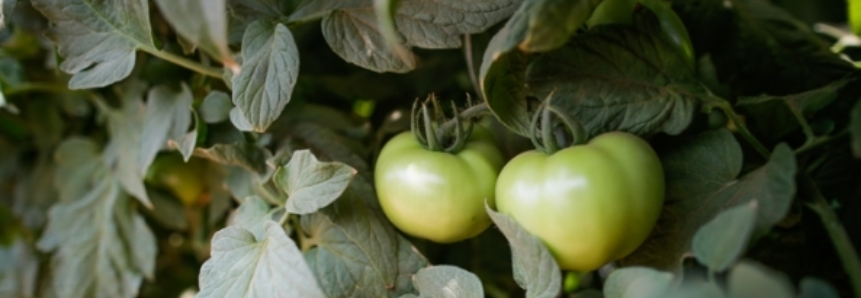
835	230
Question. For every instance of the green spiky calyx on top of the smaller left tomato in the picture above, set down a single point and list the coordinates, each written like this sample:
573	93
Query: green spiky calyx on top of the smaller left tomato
436	133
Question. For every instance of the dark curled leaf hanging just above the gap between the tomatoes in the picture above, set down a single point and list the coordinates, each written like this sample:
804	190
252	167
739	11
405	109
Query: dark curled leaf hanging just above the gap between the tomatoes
502	78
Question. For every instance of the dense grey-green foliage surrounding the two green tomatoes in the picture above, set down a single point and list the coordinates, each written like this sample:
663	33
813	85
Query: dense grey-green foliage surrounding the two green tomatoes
283	106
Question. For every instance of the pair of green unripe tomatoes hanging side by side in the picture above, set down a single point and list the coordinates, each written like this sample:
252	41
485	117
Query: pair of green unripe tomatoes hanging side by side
590	204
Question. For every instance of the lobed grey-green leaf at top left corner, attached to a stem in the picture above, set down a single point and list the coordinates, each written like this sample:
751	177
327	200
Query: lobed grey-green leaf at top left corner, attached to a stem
98	38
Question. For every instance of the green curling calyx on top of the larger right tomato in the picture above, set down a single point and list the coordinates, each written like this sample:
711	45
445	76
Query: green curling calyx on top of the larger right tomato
553	129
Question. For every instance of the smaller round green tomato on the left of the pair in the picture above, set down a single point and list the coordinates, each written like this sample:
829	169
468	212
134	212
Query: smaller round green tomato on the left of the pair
436	195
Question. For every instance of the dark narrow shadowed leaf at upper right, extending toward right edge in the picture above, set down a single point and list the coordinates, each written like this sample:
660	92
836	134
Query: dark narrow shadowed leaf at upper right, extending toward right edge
777	116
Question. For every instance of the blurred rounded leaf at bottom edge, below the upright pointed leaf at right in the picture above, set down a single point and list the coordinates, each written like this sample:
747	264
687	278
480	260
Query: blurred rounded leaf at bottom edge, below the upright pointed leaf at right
751	280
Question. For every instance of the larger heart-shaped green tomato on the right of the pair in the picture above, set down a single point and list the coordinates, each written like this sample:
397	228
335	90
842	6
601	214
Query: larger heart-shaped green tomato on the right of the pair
589	204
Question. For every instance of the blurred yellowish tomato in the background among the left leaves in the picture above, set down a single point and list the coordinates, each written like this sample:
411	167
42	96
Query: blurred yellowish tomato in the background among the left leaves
184	180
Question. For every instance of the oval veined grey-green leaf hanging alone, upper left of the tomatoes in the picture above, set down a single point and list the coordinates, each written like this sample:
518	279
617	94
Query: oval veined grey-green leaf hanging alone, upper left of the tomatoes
270	67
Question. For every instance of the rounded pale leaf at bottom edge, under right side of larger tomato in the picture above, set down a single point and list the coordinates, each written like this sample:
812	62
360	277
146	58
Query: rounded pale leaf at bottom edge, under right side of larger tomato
639	282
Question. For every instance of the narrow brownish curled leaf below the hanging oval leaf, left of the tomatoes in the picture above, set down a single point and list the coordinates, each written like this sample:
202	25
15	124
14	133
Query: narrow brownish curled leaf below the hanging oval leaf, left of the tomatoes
246	155
